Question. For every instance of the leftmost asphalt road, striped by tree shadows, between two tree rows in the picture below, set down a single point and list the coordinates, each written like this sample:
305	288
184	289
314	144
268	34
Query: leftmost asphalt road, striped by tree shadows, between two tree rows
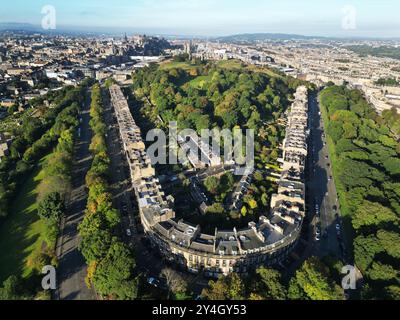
72	266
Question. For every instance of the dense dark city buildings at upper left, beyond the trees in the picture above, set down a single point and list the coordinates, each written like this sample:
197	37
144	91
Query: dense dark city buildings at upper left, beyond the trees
32	64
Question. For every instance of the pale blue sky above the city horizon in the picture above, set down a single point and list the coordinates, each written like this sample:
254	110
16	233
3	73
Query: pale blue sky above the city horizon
375	18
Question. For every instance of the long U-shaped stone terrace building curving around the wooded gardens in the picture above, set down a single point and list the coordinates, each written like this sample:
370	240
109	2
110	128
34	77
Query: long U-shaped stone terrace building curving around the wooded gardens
264	242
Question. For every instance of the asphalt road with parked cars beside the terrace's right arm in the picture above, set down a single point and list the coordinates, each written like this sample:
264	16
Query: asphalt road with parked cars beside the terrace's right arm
322	190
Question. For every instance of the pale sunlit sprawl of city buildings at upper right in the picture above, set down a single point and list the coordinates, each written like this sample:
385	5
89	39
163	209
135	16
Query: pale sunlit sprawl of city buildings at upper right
316	61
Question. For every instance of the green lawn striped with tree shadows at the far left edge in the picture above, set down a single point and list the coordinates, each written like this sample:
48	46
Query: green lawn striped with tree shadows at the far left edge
22	233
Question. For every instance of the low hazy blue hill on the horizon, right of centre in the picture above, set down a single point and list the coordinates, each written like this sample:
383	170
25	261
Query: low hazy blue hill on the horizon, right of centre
252	37
